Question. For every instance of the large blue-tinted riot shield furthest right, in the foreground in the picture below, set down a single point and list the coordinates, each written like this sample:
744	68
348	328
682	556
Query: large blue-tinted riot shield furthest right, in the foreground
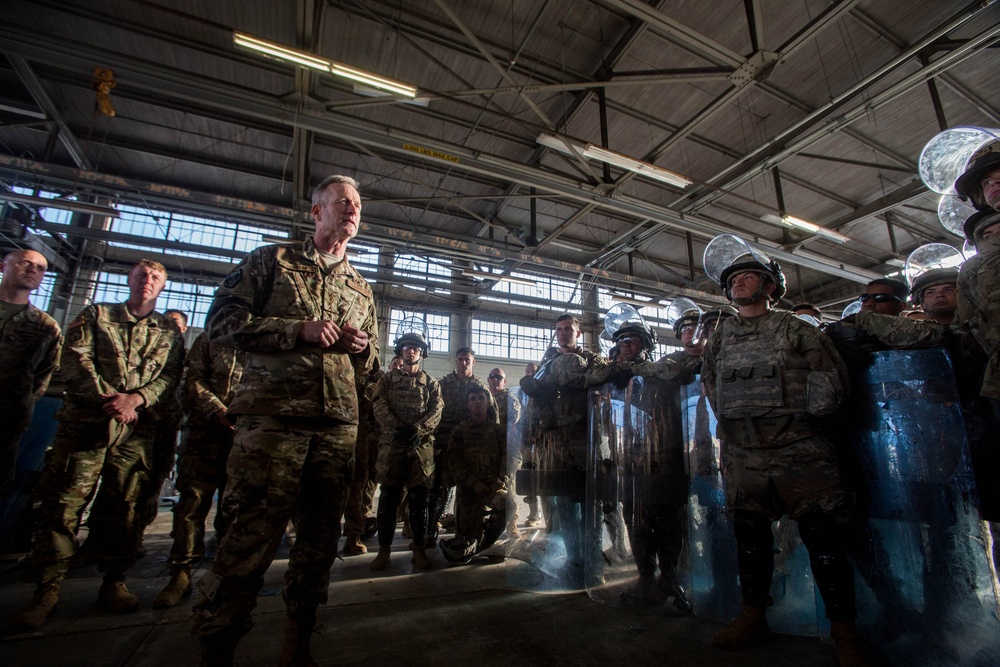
926	592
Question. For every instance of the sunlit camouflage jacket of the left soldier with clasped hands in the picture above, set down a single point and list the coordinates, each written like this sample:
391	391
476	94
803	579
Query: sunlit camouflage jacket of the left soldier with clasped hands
109	350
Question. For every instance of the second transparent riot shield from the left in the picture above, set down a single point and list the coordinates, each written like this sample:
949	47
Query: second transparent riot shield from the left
637	499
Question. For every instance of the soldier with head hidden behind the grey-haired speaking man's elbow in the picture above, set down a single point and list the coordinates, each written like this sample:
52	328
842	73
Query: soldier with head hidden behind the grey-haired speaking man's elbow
213	372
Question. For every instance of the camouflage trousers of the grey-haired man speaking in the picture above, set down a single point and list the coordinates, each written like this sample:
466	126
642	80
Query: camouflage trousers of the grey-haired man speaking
280	469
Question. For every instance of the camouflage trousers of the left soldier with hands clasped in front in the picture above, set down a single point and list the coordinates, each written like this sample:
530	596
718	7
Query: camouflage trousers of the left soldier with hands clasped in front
84	454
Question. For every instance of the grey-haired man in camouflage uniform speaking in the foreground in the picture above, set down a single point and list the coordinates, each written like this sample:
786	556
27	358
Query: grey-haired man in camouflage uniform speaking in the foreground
306	320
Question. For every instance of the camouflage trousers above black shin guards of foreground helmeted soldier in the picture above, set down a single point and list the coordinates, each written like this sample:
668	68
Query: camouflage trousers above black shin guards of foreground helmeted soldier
793	479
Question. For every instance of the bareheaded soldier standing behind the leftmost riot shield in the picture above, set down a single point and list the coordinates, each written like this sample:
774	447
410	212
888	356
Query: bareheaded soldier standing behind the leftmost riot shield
558	410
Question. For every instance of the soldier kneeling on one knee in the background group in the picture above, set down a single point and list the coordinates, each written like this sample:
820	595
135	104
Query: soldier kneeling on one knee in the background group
477	461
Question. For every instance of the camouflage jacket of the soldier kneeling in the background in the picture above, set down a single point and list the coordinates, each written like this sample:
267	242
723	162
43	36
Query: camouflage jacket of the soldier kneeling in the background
477	456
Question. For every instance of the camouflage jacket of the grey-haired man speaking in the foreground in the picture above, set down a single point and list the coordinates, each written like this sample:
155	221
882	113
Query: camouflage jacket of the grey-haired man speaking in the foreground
260	309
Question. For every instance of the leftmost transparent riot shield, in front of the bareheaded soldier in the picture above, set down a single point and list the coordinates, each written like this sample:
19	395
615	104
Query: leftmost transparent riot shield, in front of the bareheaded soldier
547	552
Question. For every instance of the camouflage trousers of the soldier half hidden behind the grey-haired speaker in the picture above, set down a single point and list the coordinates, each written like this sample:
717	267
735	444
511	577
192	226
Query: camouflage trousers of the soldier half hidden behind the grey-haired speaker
201	472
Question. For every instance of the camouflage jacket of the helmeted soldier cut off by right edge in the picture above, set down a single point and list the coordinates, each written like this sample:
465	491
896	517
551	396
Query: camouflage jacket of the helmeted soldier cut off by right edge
979	308
